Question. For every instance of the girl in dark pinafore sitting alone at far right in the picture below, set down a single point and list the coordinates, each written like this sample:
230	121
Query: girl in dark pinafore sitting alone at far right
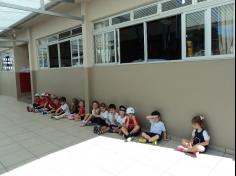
200	138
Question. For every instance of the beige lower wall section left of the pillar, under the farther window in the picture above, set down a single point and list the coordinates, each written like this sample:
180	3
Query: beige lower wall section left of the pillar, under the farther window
62	82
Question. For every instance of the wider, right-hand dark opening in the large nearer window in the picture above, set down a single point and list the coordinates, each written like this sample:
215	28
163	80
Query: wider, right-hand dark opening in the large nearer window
164	39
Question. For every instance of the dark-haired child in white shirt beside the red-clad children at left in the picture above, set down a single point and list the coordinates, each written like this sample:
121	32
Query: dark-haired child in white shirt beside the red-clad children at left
63	111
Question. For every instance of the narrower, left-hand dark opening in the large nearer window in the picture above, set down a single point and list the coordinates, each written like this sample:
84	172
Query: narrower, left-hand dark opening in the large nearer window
132	44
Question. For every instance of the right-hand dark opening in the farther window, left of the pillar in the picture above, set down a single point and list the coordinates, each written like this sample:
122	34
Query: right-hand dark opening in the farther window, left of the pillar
65	53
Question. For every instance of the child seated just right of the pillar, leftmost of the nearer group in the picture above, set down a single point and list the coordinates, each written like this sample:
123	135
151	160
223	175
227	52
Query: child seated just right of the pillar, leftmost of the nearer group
91	118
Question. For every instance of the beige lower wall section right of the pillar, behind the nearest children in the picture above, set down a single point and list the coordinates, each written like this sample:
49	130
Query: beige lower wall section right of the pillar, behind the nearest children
178	90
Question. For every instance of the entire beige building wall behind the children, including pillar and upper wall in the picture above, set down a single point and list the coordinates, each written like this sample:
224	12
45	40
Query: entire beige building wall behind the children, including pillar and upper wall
178	89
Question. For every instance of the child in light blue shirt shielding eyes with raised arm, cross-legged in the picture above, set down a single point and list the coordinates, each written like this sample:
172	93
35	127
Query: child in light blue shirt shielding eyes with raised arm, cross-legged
157	130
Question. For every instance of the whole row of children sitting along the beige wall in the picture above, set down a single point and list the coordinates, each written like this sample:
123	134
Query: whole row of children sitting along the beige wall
122	121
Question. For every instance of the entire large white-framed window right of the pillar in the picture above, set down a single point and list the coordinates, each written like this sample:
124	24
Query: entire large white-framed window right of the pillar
176	30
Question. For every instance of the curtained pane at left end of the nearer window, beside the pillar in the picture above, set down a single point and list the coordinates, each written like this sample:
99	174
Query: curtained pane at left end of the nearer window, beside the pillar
105	48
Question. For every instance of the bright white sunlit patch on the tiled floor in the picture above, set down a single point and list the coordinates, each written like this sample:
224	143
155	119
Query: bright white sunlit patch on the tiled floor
112	157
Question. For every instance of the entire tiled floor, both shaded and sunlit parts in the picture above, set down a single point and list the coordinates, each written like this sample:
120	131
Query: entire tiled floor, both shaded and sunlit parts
31	144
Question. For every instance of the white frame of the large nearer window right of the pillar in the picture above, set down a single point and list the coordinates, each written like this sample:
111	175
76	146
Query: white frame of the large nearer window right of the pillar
195	6
